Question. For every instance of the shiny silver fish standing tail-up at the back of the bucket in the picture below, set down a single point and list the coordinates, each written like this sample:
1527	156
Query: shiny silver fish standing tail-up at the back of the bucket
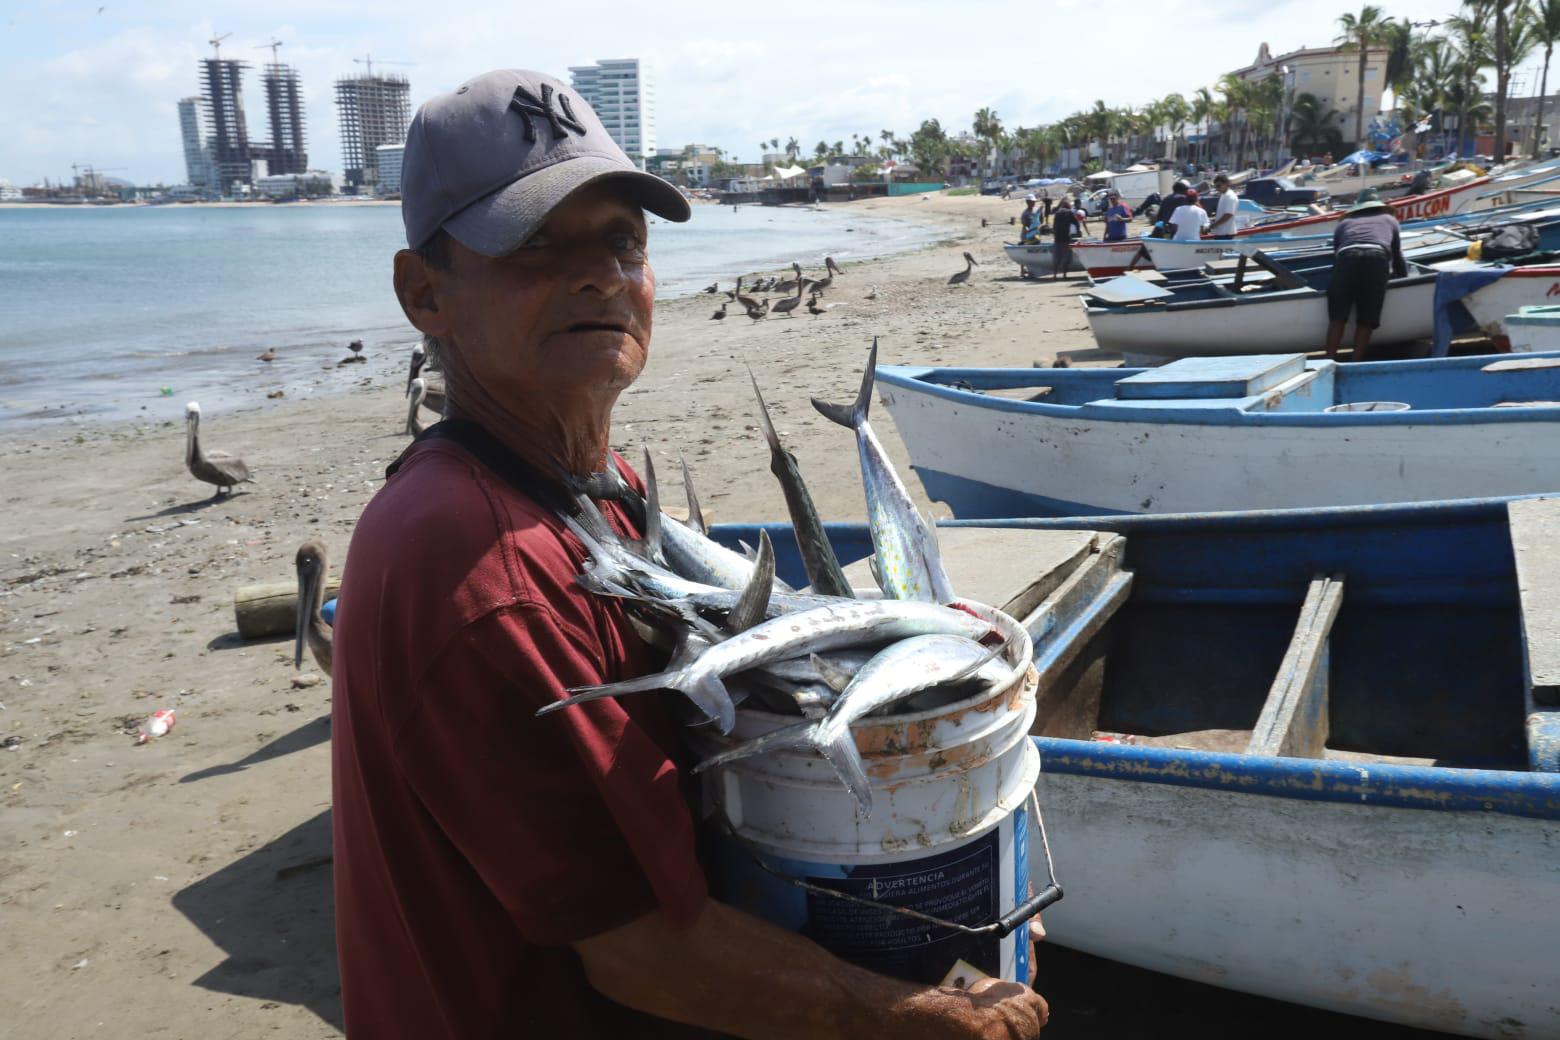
907	554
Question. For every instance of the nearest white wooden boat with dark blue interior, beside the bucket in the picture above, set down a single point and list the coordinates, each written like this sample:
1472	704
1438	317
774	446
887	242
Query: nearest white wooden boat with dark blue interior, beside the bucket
1308	755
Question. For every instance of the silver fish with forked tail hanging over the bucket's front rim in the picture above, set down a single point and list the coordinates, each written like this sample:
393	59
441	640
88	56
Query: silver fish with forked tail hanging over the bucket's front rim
896	673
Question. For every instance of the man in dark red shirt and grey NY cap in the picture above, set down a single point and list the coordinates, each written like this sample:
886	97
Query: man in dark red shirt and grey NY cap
497	874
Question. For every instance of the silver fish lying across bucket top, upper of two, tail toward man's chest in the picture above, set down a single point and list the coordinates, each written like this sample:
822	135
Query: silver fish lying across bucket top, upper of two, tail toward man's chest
842	624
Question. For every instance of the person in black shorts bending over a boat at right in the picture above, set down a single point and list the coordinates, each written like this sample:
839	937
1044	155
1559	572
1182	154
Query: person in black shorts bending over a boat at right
1367	250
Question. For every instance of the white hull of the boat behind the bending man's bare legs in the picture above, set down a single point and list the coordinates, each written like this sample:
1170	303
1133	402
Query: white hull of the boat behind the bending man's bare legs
1285	325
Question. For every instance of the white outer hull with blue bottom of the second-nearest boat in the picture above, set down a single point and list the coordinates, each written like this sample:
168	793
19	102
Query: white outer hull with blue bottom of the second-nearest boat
1002	464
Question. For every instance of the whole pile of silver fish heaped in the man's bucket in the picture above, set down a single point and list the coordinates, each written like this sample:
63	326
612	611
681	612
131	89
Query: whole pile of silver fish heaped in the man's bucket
739	634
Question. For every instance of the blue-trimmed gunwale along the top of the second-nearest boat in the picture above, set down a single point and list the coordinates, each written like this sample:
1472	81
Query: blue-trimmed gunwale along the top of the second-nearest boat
910	378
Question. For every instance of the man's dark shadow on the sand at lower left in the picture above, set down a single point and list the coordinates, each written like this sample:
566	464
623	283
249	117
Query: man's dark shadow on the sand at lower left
272	913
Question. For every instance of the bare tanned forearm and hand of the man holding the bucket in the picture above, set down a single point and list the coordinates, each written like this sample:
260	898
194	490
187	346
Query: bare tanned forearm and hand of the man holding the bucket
739	975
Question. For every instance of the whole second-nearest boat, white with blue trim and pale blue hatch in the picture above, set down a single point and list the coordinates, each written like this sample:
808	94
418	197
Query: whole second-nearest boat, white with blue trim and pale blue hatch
1227	434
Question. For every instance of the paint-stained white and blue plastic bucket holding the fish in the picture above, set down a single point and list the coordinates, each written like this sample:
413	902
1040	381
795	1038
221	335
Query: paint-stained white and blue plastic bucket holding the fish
948	835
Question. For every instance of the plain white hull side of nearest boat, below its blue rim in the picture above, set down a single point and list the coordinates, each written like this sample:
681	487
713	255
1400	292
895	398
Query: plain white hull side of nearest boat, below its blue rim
1439	921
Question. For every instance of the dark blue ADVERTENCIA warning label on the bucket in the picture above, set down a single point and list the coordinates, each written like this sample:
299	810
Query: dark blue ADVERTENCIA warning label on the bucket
960	886
